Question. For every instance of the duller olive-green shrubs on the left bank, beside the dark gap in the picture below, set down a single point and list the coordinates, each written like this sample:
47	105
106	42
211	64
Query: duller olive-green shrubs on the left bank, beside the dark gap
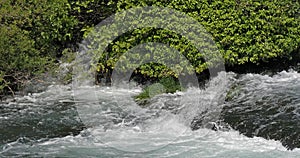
32	35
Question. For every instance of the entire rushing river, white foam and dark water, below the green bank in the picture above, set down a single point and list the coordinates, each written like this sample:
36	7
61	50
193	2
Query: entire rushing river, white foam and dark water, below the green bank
195	123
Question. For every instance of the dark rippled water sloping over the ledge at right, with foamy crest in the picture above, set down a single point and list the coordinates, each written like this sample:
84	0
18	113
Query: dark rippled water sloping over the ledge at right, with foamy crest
266	106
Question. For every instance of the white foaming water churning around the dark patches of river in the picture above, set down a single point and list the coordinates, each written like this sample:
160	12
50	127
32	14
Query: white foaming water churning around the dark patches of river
123	129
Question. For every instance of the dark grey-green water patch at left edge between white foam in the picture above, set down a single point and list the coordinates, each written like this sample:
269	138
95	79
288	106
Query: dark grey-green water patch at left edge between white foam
28	122
